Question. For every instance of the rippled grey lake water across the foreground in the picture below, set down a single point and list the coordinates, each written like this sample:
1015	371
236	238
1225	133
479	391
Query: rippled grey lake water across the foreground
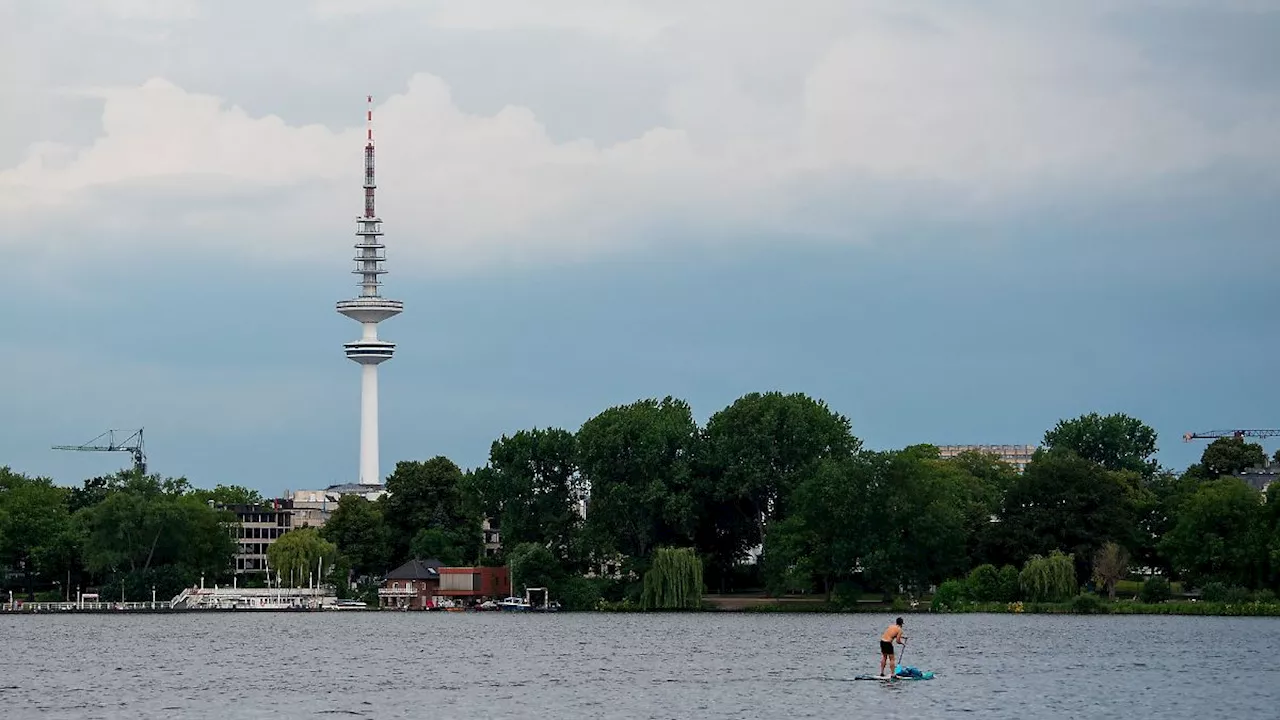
563	667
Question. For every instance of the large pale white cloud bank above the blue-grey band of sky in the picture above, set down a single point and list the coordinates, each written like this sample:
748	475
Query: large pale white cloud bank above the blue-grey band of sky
822	121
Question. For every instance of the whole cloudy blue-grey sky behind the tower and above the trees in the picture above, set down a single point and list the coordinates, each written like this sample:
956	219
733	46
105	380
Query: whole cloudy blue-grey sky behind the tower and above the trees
956	224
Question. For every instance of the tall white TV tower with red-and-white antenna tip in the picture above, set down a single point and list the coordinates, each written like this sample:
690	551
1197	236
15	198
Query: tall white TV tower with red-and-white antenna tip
369	309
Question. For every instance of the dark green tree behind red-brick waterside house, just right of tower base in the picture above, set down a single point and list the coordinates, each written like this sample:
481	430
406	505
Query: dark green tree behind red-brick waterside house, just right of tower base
431	496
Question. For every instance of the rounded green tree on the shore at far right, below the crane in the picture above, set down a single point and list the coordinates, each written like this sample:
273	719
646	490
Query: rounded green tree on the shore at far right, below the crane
1220	535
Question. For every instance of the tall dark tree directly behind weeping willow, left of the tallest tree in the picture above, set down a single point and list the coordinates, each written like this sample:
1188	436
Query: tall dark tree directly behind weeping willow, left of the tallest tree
637	462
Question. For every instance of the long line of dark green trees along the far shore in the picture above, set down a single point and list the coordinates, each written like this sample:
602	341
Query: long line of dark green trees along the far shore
774	493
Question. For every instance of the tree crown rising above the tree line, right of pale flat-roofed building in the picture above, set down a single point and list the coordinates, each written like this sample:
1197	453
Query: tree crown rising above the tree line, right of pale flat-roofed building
1117	443
